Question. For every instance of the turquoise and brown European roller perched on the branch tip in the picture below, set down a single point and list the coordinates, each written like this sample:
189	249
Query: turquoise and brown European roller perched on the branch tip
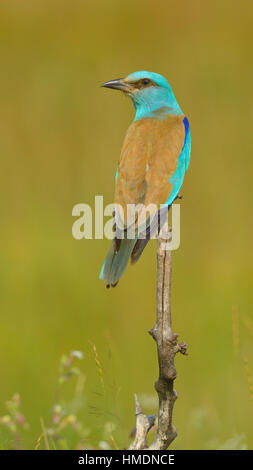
154	159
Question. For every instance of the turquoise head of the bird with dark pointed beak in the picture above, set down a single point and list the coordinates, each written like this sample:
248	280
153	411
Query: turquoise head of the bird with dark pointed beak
148	90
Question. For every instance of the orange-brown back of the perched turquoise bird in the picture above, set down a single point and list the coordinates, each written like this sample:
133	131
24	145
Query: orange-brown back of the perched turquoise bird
149	157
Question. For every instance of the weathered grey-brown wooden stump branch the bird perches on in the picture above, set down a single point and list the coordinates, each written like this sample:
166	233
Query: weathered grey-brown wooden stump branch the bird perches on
167	347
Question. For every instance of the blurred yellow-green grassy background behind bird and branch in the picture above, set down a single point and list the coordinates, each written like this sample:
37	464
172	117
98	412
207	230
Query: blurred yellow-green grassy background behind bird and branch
60	138
